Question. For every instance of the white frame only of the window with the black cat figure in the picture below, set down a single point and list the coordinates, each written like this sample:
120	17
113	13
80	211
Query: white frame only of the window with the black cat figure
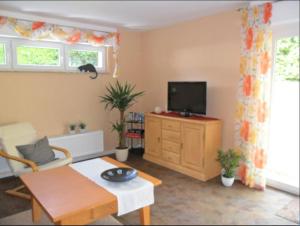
82	47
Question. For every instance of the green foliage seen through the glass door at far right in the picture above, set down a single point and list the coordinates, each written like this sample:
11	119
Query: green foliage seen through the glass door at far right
287	59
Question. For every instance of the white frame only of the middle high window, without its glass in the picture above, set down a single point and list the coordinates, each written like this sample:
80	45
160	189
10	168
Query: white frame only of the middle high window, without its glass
40	44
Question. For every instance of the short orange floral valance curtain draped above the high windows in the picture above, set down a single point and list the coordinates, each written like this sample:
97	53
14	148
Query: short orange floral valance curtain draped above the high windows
39	30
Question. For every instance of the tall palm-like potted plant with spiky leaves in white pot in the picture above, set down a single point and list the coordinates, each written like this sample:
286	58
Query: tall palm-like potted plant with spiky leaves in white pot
121	97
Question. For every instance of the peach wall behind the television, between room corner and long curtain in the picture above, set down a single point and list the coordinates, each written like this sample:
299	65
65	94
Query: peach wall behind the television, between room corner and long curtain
206	49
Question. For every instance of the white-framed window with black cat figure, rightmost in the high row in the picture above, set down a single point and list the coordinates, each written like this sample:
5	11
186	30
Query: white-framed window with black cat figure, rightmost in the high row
80	55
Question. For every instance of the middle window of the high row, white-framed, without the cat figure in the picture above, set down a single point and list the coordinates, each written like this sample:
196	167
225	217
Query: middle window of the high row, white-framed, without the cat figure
37	55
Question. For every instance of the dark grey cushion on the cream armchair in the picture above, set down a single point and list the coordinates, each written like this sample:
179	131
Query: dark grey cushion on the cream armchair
39	152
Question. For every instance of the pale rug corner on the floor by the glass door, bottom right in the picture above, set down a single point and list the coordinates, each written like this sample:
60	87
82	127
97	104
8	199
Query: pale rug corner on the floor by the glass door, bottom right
291	211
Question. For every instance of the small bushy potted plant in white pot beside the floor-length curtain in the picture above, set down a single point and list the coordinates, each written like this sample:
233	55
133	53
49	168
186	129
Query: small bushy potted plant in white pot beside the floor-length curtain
229	161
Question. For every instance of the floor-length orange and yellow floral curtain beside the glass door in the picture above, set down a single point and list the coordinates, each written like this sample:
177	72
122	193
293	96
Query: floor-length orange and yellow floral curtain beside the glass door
254	94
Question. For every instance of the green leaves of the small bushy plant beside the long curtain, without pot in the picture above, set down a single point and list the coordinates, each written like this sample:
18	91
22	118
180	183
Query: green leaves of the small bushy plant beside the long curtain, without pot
229	161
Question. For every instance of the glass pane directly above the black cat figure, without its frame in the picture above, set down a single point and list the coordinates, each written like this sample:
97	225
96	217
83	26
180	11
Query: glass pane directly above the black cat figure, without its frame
81	57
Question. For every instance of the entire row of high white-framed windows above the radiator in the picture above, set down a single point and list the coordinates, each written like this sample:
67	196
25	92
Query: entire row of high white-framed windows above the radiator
20	54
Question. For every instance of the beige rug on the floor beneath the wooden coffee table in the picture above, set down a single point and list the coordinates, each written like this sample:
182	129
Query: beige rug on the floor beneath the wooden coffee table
24	218
